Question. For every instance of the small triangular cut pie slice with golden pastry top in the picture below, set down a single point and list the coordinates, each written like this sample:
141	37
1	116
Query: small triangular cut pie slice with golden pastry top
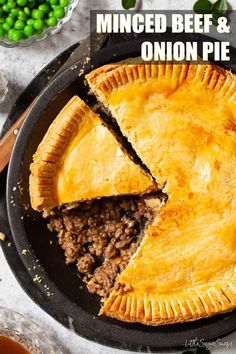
79	159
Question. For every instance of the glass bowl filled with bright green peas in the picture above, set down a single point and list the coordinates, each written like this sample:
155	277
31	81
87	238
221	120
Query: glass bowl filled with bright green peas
23	22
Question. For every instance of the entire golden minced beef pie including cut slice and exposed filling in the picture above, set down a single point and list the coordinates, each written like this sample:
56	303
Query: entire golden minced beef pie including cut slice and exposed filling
156	258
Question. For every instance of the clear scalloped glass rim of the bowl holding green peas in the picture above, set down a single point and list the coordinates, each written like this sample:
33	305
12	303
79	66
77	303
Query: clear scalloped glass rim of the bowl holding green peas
5	42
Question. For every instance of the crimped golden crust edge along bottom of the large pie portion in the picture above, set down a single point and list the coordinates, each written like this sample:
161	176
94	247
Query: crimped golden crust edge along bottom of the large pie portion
152	311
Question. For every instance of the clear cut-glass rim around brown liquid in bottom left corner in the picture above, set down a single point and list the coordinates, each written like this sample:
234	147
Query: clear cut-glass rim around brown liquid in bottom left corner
24	331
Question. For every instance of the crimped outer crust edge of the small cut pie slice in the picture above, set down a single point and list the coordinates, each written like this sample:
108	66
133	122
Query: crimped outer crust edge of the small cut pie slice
47	155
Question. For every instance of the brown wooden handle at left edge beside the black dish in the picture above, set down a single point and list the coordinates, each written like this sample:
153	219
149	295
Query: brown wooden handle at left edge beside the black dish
7	142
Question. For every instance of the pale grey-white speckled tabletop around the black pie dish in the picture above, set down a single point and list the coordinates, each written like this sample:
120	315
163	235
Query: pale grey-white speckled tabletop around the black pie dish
20	66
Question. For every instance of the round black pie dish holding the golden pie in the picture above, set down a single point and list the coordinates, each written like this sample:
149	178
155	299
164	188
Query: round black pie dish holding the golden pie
57	288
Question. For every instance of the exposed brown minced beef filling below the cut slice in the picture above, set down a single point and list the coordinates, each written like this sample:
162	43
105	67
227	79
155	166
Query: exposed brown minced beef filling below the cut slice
101	236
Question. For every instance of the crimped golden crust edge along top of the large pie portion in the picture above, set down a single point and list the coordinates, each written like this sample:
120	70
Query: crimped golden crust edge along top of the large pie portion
109	77
